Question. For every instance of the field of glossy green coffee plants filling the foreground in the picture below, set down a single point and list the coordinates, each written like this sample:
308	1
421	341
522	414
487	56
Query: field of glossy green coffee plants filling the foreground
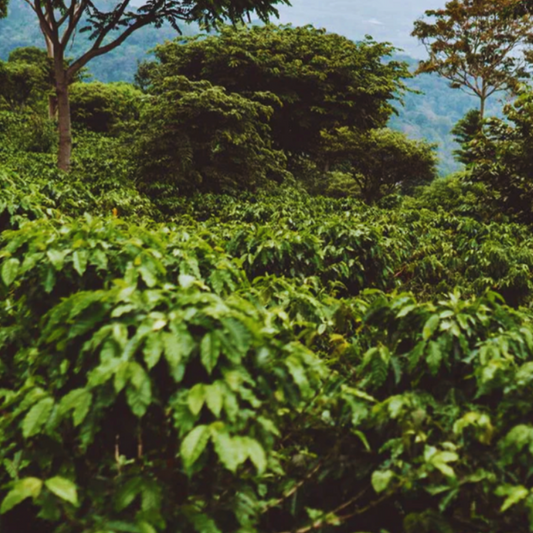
268	362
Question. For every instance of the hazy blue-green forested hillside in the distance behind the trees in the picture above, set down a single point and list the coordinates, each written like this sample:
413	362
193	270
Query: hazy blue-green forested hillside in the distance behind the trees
431	117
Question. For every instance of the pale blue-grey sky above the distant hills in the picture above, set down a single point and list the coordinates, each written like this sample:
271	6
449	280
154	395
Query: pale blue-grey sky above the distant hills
384	20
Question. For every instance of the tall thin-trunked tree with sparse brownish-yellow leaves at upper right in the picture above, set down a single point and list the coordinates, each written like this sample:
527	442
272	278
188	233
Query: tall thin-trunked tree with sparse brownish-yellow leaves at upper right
476	45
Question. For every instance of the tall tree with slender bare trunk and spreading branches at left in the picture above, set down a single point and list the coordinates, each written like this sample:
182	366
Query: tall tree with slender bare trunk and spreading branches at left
109	24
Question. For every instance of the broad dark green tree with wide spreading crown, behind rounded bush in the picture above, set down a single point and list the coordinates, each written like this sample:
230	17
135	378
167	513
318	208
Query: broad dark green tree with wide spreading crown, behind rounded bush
312	79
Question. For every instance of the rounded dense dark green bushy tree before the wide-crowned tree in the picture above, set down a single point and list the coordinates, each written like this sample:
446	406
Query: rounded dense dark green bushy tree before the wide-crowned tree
198	137
